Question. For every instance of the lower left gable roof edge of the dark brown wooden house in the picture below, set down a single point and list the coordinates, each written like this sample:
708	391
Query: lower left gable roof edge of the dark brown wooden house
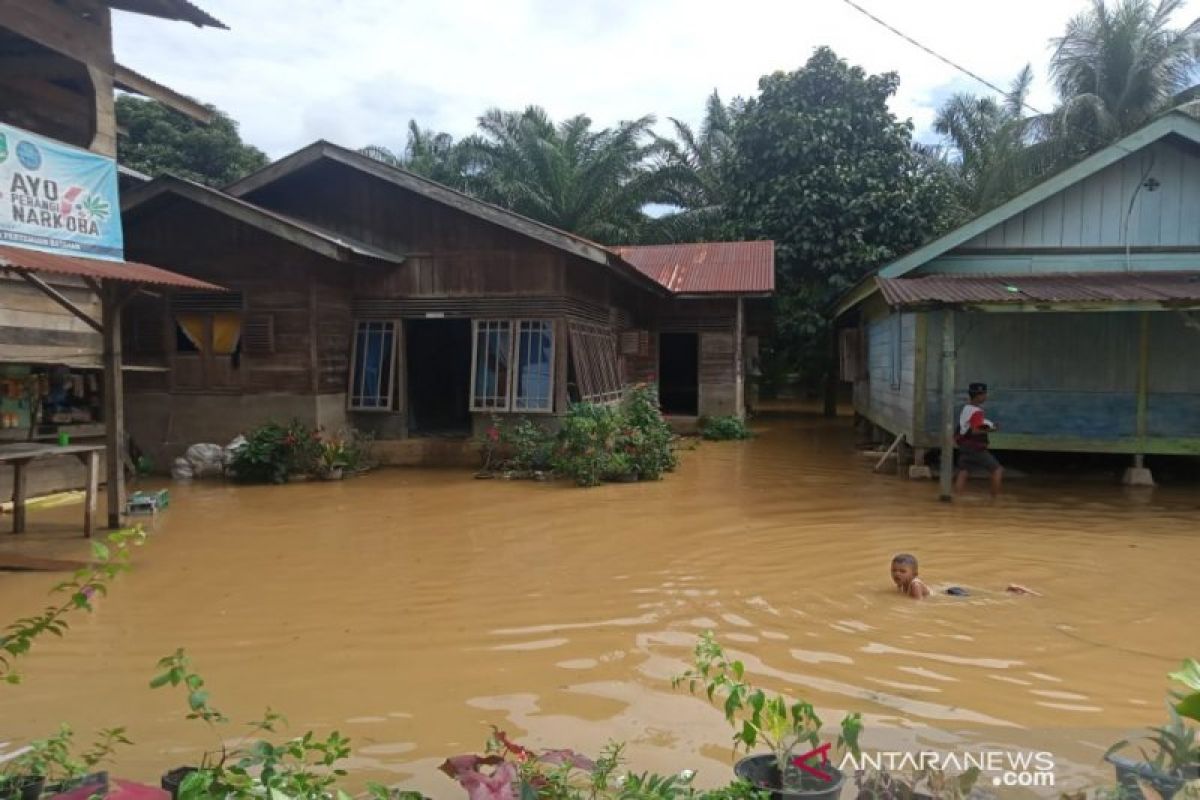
304	234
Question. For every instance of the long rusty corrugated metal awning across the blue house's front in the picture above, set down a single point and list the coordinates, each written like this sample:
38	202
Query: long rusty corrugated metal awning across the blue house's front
1069	288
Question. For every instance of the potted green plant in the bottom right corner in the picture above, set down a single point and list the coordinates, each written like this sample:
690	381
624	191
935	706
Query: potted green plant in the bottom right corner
1175	757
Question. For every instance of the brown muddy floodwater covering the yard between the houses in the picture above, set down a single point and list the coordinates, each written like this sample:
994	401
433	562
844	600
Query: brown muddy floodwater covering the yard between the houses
411	609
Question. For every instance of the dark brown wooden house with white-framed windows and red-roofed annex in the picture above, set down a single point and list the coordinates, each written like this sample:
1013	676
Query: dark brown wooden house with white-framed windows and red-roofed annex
368	297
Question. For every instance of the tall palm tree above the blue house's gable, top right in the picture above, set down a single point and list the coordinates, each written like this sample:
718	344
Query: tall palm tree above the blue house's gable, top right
1119	67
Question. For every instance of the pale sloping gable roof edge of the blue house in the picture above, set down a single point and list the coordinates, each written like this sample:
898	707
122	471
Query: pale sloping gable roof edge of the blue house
1175	123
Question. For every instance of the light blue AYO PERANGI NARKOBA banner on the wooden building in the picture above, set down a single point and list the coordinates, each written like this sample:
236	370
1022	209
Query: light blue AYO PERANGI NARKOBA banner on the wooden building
58	199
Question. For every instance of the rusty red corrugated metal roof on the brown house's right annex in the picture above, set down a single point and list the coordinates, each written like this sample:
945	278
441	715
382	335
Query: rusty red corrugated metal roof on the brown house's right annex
707	268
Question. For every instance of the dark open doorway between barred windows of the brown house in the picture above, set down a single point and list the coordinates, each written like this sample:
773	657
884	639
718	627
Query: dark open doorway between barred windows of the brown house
439	357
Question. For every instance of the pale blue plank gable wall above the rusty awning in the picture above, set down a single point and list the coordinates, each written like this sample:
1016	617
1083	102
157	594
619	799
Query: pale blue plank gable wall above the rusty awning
1093	213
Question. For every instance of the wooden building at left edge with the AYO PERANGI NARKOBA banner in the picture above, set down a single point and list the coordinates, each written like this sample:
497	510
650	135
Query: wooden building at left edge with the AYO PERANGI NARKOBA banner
58	76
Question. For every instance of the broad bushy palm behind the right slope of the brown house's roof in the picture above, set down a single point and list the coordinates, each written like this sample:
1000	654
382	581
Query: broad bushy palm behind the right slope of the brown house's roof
593	184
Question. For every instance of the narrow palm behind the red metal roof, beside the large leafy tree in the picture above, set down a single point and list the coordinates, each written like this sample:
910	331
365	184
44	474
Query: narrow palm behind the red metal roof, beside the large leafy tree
693	170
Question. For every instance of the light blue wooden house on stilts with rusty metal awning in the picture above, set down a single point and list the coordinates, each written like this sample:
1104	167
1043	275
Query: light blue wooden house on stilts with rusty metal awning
1076	302
